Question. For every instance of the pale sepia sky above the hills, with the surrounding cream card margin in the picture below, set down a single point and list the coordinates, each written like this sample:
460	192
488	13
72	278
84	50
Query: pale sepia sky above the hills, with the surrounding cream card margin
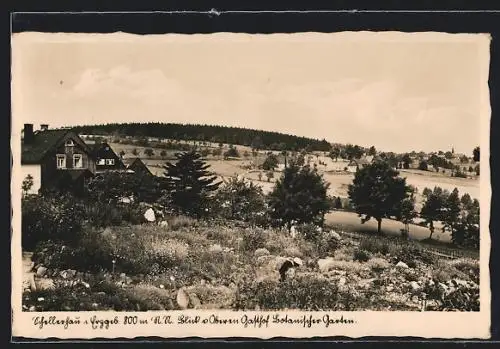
398	92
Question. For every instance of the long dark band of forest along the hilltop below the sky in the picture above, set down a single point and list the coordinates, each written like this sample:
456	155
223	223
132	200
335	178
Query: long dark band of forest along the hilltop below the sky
257	139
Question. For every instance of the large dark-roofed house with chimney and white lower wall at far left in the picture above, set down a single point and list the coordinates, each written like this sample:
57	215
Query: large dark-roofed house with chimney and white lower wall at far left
55	159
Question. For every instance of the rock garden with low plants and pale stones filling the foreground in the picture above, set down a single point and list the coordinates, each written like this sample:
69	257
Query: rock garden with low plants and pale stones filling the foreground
214	267
